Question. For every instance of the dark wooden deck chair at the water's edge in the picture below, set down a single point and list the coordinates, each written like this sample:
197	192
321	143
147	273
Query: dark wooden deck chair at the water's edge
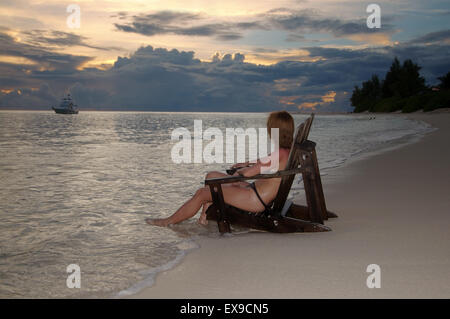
283	216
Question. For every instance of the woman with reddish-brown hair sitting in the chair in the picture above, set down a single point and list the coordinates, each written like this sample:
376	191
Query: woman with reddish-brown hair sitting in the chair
253	197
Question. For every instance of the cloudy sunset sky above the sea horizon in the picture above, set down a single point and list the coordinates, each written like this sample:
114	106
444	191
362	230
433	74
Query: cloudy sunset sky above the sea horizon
199	55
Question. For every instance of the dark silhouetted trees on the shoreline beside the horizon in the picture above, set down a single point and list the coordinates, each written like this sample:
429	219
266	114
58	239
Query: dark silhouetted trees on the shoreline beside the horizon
403	89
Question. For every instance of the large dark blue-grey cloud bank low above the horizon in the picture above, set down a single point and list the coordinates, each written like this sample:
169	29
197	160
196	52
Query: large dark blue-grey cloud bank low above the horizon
161	79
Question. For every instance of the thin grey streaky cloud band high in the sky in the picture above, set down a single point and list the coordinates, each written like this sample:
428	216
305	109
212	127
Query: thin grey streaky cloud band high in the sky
303	21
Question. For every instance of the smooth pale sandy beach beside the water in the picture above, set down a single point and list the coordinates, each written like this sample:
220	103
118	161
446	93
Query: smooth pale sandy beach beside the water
394	211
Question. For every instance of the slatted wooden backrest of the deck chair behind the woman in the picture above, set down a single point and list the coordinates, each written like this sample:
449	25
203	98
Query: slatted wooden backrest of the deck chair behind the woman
301	135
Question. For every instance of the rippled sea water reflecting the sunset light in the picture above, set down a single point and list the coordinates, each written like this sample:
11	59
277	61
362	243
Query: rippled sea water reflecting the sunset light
76	189
